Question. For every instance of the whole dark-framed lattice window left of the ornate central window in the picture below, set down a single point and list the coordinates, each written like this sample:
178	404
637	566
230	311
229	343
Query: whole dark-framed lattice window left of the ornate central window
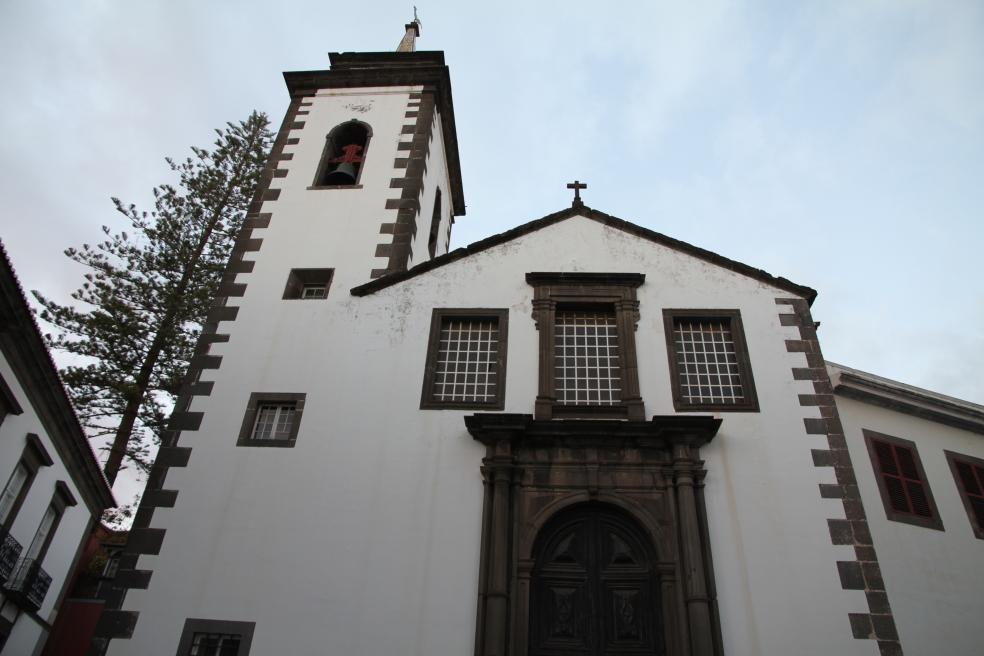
466	359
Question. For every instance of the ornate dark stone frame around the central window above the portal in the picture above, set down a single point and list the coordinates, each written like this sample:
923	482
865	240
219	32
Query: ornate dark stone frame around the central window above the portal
574	291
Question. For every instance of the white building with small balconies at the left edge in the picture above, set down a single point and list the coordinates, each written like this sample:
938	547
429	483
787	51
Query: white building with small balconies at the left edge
53	489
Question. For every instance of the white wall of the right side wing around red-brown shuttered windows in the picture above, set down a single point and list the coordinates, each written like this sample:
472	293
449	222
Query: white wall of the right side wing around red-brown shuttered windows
933	578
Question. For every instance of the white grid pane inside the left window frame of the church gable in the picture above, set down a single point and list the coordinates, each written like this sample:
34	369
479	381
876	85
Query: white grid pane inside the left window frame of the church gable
466	370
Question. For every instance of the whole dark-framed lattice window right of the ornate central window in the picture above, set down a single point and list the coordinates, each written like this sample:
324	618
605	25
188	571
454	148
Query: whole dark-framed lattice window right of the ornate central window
709	364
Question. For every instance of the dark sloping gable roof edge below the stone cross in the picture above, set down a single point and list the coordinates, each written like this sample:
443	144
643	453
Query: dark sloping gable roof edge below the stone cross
612	221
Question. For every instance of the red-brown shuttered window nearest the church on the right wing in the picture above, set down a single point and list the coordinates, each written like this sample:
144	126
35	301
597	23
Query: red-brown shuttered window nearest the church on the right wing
901	480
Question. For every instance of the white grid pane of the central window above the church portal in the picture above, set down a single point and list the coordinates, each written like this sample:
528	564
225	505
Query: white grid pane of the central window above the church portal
587	365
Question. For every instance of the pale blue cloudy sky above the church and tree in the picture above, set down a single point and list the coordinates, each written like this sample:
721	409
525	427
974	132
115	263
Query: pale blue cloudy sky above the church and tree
837	144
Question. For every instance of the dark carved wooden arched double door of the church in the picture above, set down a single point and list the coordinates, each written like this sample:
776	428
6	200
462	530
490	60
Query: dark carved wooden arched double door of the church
593	589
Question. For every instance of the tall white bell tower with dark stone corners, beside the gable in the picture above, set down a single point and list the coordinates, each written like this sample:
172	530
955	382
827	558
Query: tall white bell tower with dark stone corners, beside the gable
363	181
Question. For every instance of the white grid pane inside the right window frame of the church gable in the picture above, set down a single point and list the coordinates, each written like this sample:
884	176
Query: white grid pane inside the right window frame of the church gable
707	361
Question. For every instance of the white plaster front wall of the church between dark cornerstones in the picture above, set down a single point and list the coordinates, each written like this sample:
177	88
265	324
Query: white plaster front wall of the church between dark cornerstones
364	537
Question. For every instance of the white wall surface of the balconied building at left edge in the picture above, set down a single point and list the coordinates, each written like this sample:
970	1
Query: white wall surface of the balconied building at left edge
71	530
